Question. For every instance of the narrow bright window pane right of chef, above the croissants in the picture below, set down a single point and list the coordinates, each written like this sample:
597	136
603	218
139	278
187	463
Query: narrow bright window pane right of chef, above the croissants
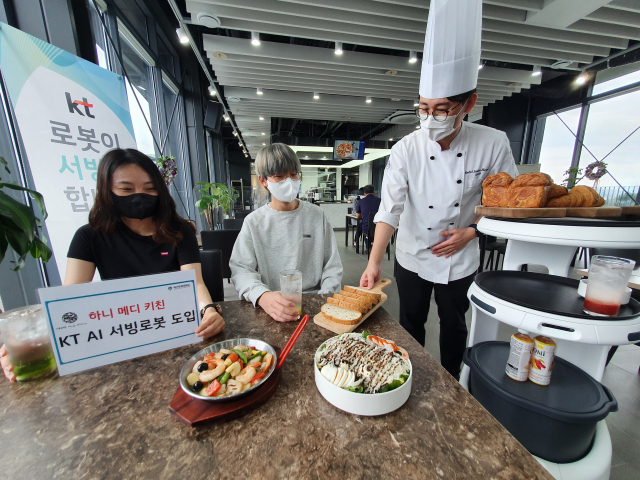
558	142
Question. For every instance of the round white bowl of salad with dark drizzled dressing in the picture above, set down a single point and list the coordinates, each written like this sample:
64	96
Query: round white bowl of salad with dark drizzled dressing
363	374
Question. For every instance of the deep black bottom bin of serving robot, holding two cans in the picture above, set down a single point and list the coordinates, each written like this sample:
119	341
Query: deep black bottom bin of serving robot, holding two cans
555	422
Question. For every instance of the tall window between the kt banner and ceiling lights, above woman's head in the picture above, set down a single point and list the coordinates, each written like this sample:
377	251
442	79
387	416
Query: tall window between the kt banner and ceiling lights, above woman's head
140	74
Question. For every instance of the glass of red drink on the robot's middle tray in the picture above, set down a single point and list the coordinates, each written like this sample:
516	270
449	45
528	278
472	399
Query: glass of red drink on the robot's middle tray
608	279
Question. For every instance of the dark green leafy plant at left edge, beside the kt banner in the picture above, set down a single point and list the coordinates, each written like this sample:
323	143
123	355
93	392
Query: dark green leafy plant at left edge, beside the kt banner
19	225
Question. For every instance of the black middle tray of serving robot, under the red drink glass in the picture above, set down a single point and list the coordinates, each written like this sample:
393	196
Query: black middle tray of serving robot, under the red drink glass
545	293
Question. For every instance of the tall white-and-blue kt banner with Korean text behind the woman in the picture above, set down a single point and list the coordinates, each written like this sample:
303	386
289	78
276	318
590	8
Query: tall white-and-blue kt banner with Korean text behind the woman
70	112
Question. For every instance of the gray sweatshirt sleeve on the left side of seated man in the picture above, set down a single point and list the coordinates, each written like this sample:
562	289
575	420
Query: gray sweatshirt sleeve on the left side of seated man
244	268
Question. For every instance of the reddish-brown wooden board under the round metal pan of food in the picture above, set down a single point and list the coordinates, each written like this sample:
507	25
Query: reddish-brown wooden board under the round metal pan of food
193	412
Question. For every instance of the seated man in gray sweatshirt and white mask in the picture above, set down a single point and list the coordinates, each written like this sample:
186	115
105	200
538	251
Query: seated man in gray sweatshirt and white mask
285	234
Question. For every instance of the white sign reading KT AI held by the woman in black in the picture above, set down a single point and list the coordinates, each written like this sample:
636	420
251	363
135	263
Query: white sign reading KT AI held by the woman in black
100	323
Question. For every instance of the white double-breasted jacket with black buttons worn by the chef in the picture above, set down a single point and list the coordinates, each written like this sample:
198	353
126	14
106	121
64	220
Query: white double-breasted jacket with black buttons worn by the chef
427	190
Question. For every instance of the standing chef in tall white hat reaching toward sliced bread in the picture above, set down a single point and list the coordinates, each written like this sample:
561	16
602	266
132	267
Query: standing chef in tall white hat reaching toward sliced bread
433	182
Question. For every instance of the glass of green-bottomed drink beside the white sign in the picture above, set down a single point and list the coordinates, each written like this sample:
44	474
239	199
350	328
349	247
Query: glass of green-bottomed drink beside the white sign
24	333
